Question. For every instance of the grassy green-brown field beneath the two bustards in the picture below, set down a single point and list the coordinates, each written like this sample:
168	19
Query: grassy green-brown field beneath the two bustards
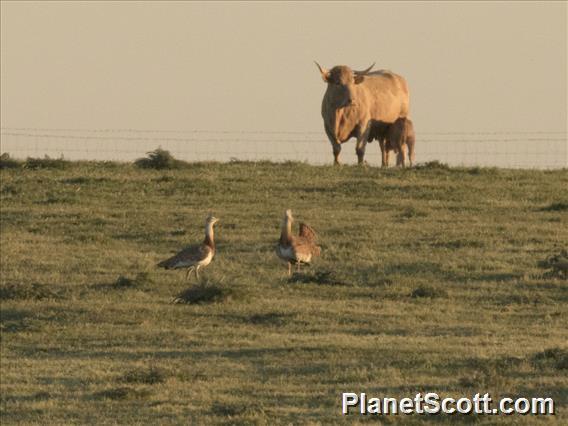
428	282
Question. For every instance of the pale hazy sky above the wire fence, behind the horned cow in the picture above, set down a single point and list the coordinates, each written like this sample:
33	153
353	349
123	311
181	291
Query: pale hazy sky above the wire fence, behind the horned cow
249	66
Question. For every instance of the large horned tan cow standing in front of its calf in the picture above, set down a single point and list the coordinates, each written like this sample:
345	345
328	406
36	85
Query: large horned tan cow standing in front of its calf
357	101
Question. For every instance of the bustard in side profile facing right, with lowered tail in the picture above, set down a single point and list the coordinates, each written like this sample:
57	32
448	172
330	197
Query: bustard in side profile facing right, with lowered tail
195	256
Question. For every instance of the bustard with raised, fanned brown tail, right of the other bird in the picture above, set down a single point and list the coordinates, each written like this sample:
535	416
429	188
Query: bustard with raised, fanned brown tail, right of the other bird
296	249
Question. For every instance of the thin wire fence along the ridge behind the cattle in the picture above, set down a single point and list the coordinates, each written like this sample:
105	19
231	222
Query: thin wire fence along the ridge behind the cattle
540	149
